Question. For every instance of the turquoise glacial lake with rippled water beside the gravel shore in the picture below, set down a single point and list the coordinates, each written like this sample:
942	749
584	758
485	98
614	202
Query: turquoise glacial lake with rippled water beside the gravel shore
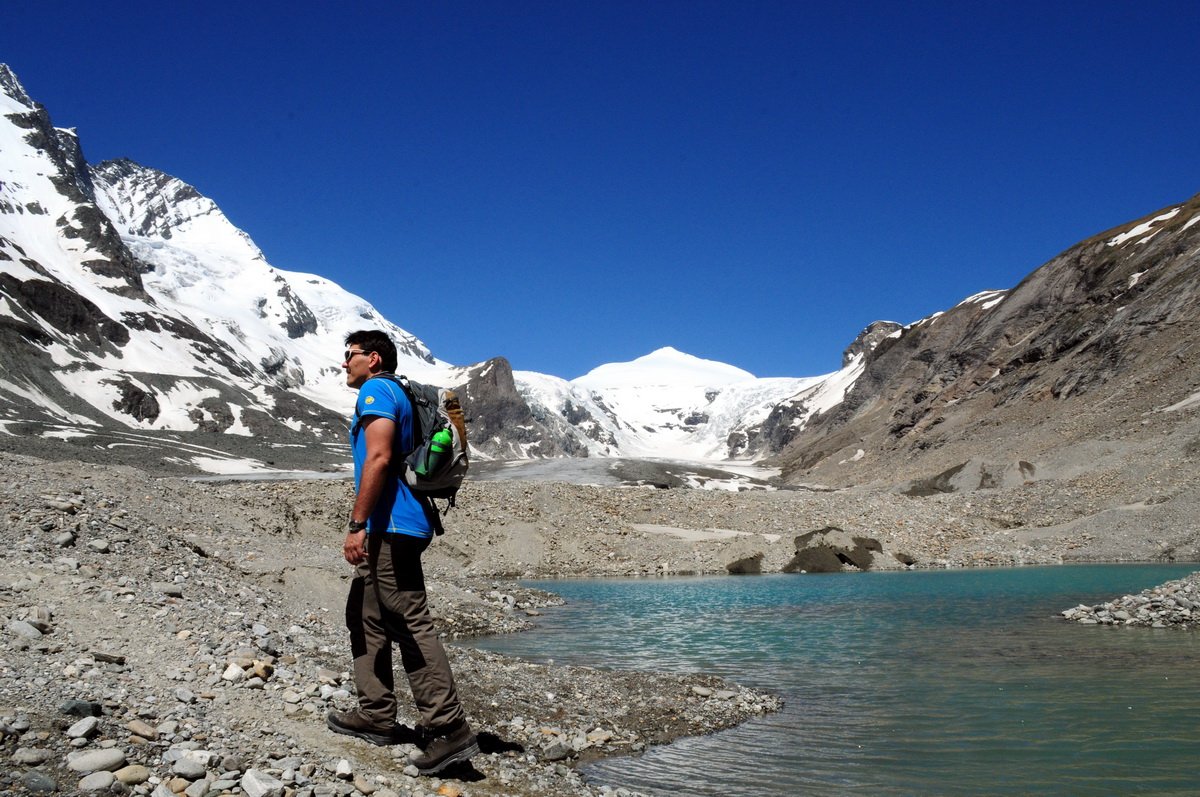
962	682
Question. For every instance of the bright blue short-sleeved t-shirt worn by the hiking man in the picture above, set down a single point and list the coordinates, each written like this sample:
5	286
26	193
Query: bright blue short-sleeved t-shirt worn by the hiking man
398	511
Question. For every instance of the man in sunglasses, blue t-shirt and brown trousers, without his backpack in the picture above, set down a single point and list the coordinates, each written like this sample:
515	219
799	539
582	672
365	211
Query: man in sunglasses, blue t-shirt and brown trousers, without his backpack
388	532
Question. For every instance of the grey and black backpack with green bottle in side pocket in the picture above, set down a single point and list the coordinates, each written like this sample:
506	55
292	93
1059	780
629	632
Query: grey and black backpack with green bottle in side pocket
434	411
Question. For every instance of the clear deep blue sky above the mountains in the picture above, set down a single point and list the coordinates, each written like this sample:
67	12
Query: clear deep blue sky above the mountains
752	183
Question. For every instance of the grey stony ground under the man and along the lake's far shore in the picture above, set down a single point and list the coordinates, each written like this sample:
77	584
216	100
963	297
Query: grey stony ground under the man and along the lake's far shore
172	637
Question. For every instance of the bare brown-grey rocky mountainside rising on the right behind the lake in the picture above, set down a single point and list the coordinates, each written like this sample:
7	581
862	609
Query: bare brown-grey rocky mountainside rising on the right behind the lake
1099	344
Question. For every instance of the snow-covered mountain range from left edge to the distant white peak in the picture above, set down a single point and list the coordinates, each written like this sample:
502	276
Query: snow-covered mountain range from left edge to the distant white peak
129	303
